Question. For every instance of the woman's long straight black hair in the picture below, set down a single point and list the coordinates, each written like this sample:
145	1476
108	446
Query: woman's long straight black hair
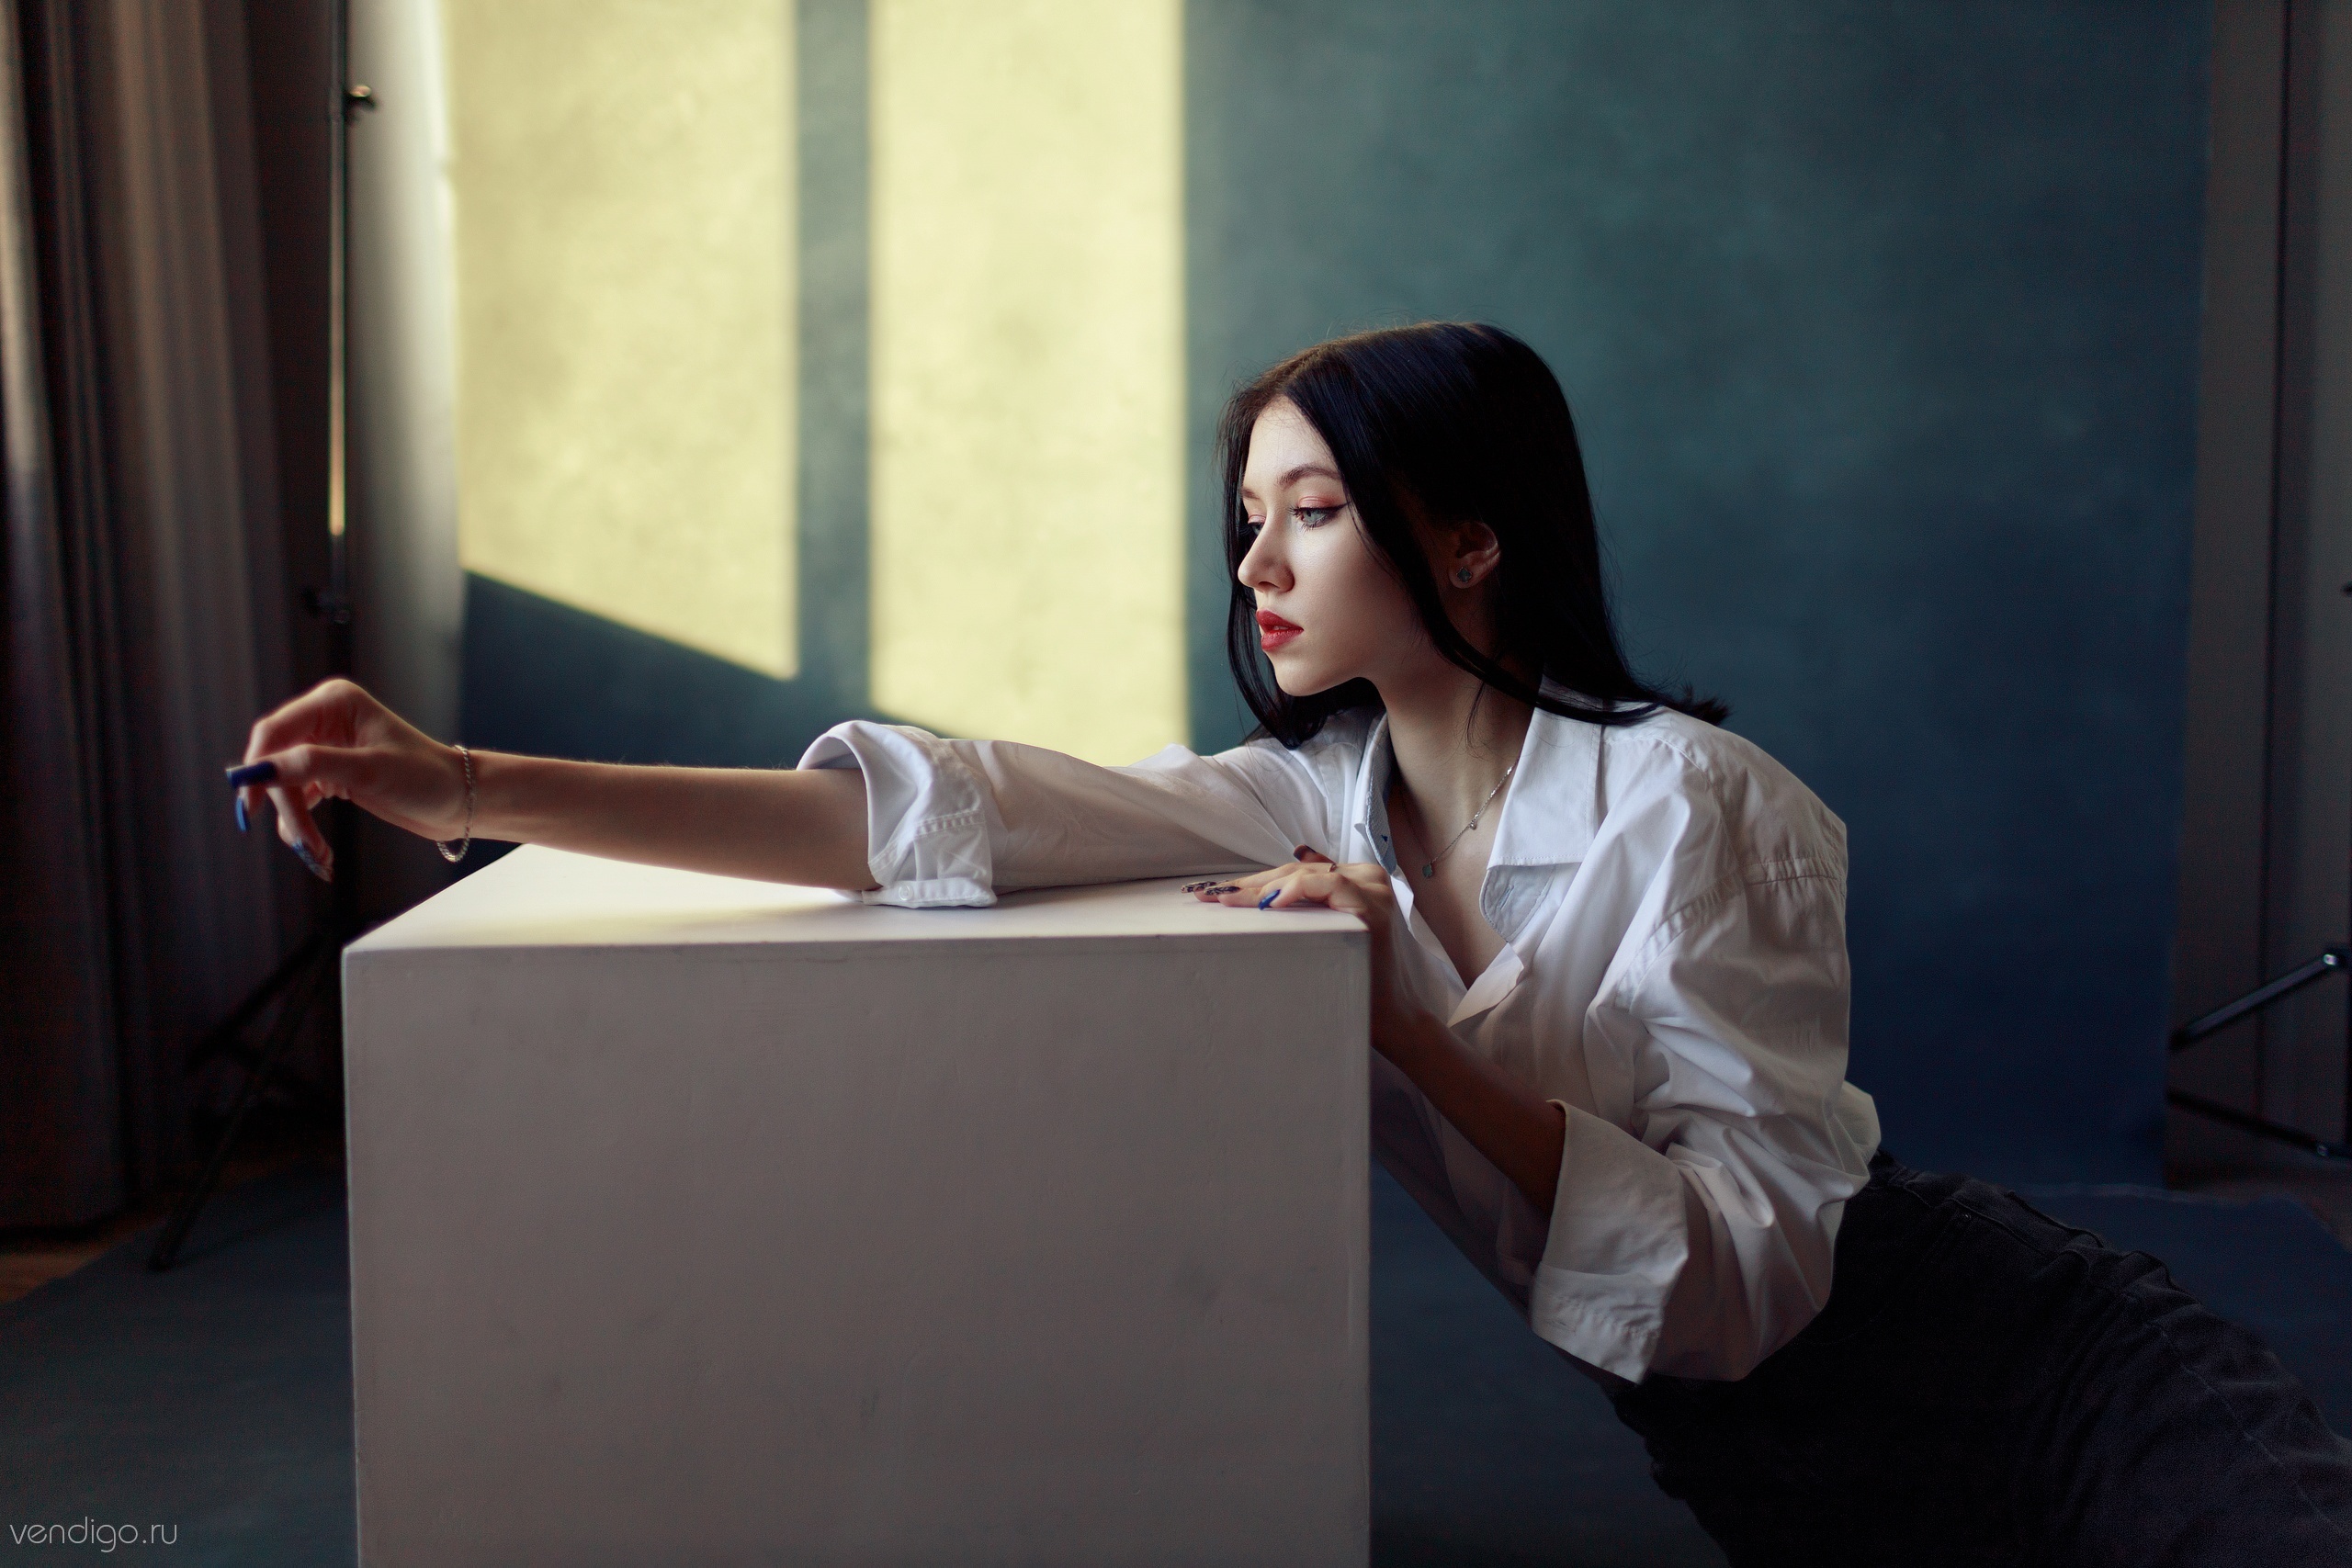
1457	422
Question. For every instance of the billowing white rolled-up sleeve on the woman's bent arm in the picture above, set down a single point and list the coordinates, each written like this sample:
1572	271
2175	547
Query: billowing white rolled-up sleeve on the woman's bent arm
1699	1235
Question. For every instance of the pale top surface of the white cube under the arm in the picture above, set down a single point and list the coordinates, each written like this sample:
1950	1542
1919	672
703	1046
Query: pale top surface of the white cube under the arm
556	899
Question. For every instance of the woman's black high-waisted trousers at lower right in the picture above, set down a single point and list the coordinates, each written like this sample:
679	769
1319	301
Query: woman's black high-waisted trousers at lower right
1991	1386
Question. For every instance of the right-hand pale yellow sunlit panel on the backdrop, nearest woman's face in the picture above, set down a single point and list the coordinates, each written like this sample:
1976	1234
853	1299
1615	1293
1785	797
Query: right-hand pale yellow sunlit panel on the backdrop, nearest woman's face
1029	370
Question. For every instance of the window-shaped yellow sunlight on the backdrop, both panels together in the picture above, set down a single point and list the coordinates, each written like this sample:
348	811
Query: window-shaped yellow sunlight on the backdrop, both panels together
627	373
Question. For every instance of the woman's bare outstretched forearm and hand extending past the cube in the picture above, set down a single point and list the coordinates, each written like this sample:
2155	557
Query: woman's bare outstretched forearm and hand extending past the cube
773	824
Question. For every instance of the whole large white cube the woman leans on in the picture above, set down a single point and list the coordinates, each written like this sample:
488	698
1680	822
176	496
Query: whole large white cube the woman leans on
704	1221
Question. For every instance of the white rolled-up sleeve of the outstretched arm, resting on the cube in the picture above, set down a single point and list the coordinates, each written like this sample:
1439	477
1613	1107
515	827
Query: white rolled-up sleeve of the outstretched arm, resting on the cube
961	822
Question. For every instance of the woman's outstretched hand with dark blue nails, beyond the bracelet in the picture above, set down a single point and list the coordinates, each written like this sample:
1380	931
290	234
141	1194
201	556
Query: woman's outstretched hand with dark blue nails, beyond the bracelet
338	742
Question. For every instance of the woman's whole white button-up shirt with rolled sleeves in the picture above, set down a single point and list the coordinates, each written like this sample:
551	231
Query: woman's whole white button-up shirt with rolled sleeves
1673	974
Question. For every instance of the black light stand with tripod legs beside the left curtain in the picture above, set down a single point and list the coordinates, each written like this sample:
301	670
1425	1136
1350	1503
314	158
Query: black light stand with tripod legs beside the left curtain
309	974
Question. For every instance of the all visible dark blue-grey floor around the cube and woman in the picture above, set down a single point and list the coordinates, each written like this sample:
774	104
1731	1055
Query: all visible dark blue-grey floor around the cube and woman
218	1400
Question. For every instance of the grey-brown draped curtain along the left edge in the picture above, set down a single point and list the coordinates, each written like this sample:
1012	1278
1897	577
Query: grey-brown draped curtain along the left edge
147	589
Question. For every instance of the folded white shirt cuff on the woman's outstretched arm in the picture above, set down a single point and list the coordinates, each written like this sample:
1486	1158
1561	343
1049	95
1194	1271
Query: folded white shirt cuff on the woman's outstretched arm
926	815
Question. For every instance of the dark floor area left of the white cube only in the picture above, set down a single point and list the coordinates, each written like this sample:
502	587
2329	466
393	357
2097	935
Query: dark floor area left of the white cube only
213	1400
